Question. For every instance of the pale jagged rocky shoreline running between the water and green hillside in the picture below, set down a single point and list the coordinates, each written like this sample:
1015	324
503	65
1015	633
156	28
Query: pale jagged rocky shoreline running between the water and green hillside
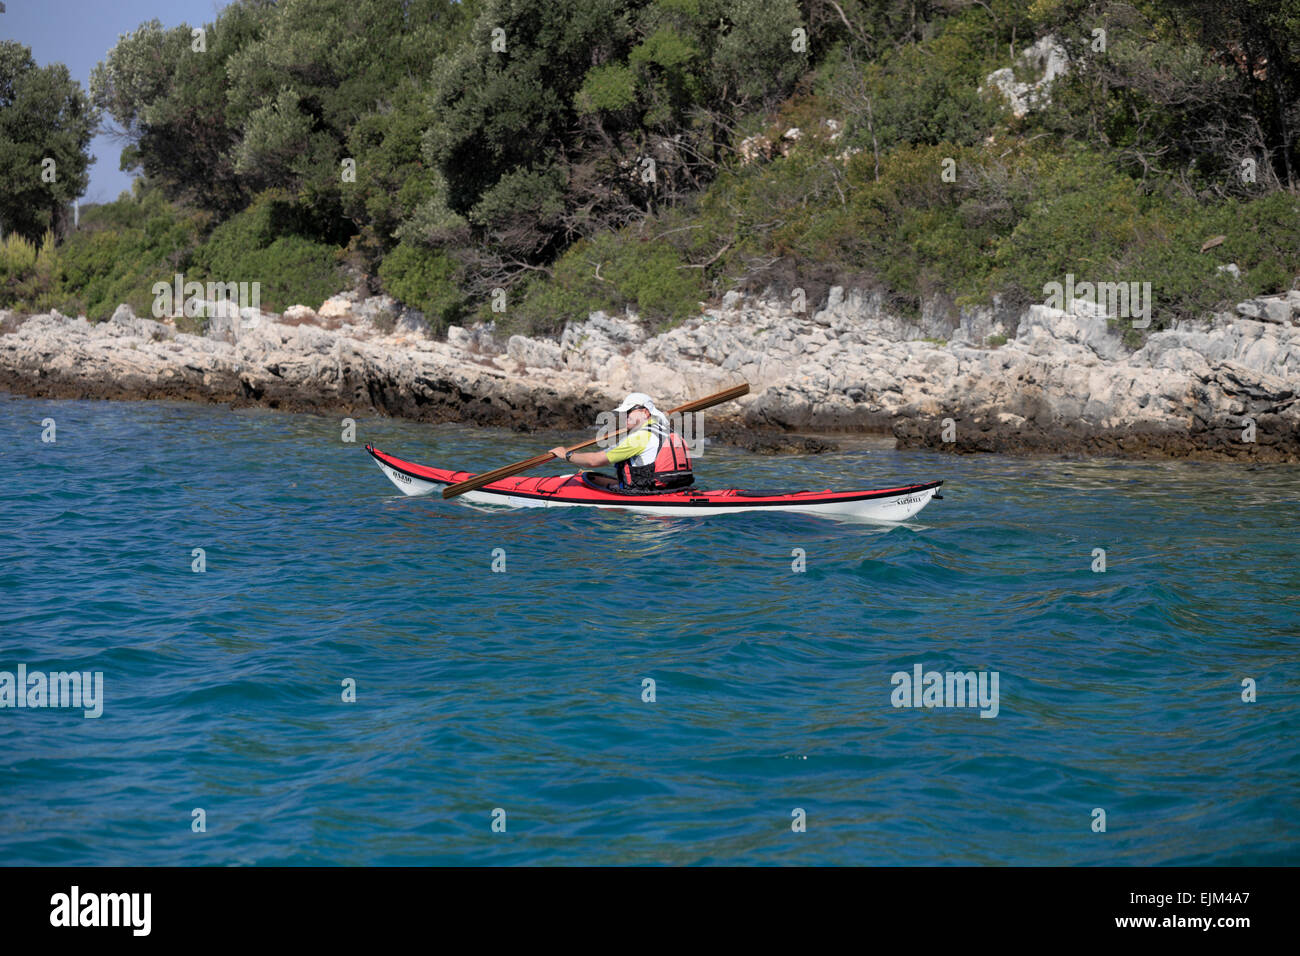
1037	382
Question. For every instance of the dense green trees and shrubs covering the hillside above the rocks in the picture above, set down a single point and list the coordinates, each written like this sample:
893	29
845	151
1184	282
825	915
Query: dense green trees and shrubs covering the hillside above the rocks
603	154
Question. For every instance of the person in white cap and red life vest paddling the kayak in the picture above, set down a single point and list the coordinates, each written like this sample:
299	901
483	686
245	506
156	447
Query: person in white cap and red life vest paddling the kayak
651	458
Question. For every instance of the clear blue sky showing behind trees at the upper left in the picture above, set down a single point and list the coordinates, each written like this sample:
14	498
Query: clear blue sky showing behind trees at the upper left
80	34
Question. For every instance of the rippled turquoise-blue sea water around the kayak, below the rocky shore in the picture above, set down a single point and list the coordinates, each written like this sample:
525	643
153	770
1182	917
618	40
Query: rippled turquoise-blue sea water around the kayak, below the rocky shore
523	690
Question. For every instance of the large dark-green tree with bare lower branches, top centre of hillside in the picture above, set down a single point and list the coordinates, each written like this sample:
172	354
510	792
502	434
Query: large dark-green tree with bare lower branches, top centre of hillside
560	122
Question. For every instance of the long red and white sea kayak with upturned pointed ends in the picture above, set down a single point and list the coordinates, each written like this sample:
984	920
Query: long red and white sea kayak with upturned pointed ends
575	491
